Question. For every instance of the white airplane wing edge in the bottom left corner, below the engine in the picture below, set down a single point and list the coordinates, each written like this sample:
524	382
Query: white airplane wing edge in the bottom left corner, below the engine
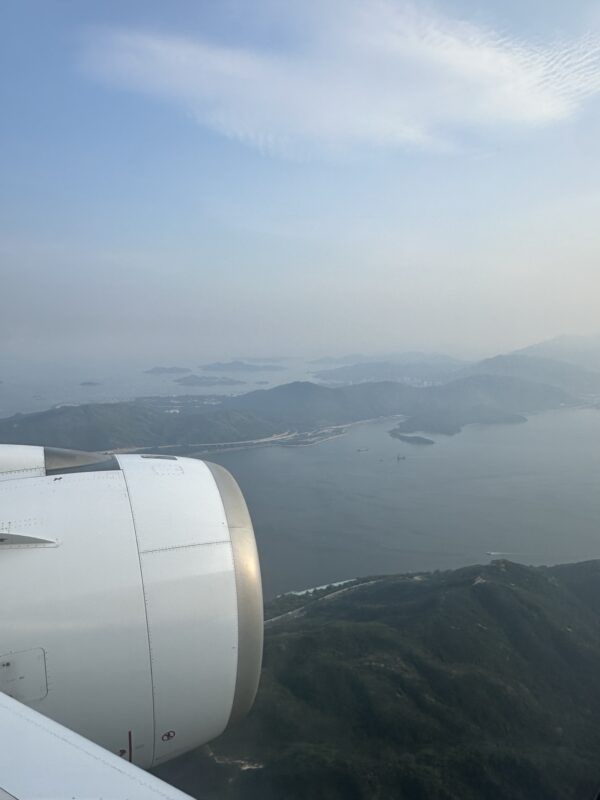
42	760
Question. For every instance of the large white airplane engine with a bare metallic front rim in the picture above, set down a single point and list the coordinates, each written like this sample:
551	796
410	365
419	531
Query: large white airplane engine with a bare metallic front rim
130	597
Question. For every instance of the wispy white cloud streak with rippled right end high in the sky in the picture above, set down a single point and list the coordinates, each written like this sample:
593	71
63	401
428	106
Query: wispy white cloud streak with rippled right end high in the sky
375	74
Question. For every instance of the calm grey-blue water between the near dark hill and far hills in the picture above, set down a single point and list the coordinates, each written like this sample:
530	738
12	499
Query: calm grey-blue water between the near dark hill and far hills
347	507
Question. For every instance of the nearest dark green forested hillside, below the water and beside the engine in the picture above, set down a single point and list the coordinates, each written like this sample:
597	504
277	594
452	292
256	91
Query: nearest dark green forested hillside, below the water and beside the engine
478	683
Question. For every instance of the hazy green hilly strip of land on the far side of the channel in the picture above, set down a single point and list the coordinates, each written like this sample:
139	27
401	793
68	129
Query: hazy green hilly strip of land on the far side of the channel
294	406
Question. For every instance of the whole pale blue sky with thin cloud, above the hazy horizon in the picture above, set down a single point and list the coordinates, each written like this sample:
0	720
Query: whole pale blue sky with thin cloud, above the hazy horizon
209	179
